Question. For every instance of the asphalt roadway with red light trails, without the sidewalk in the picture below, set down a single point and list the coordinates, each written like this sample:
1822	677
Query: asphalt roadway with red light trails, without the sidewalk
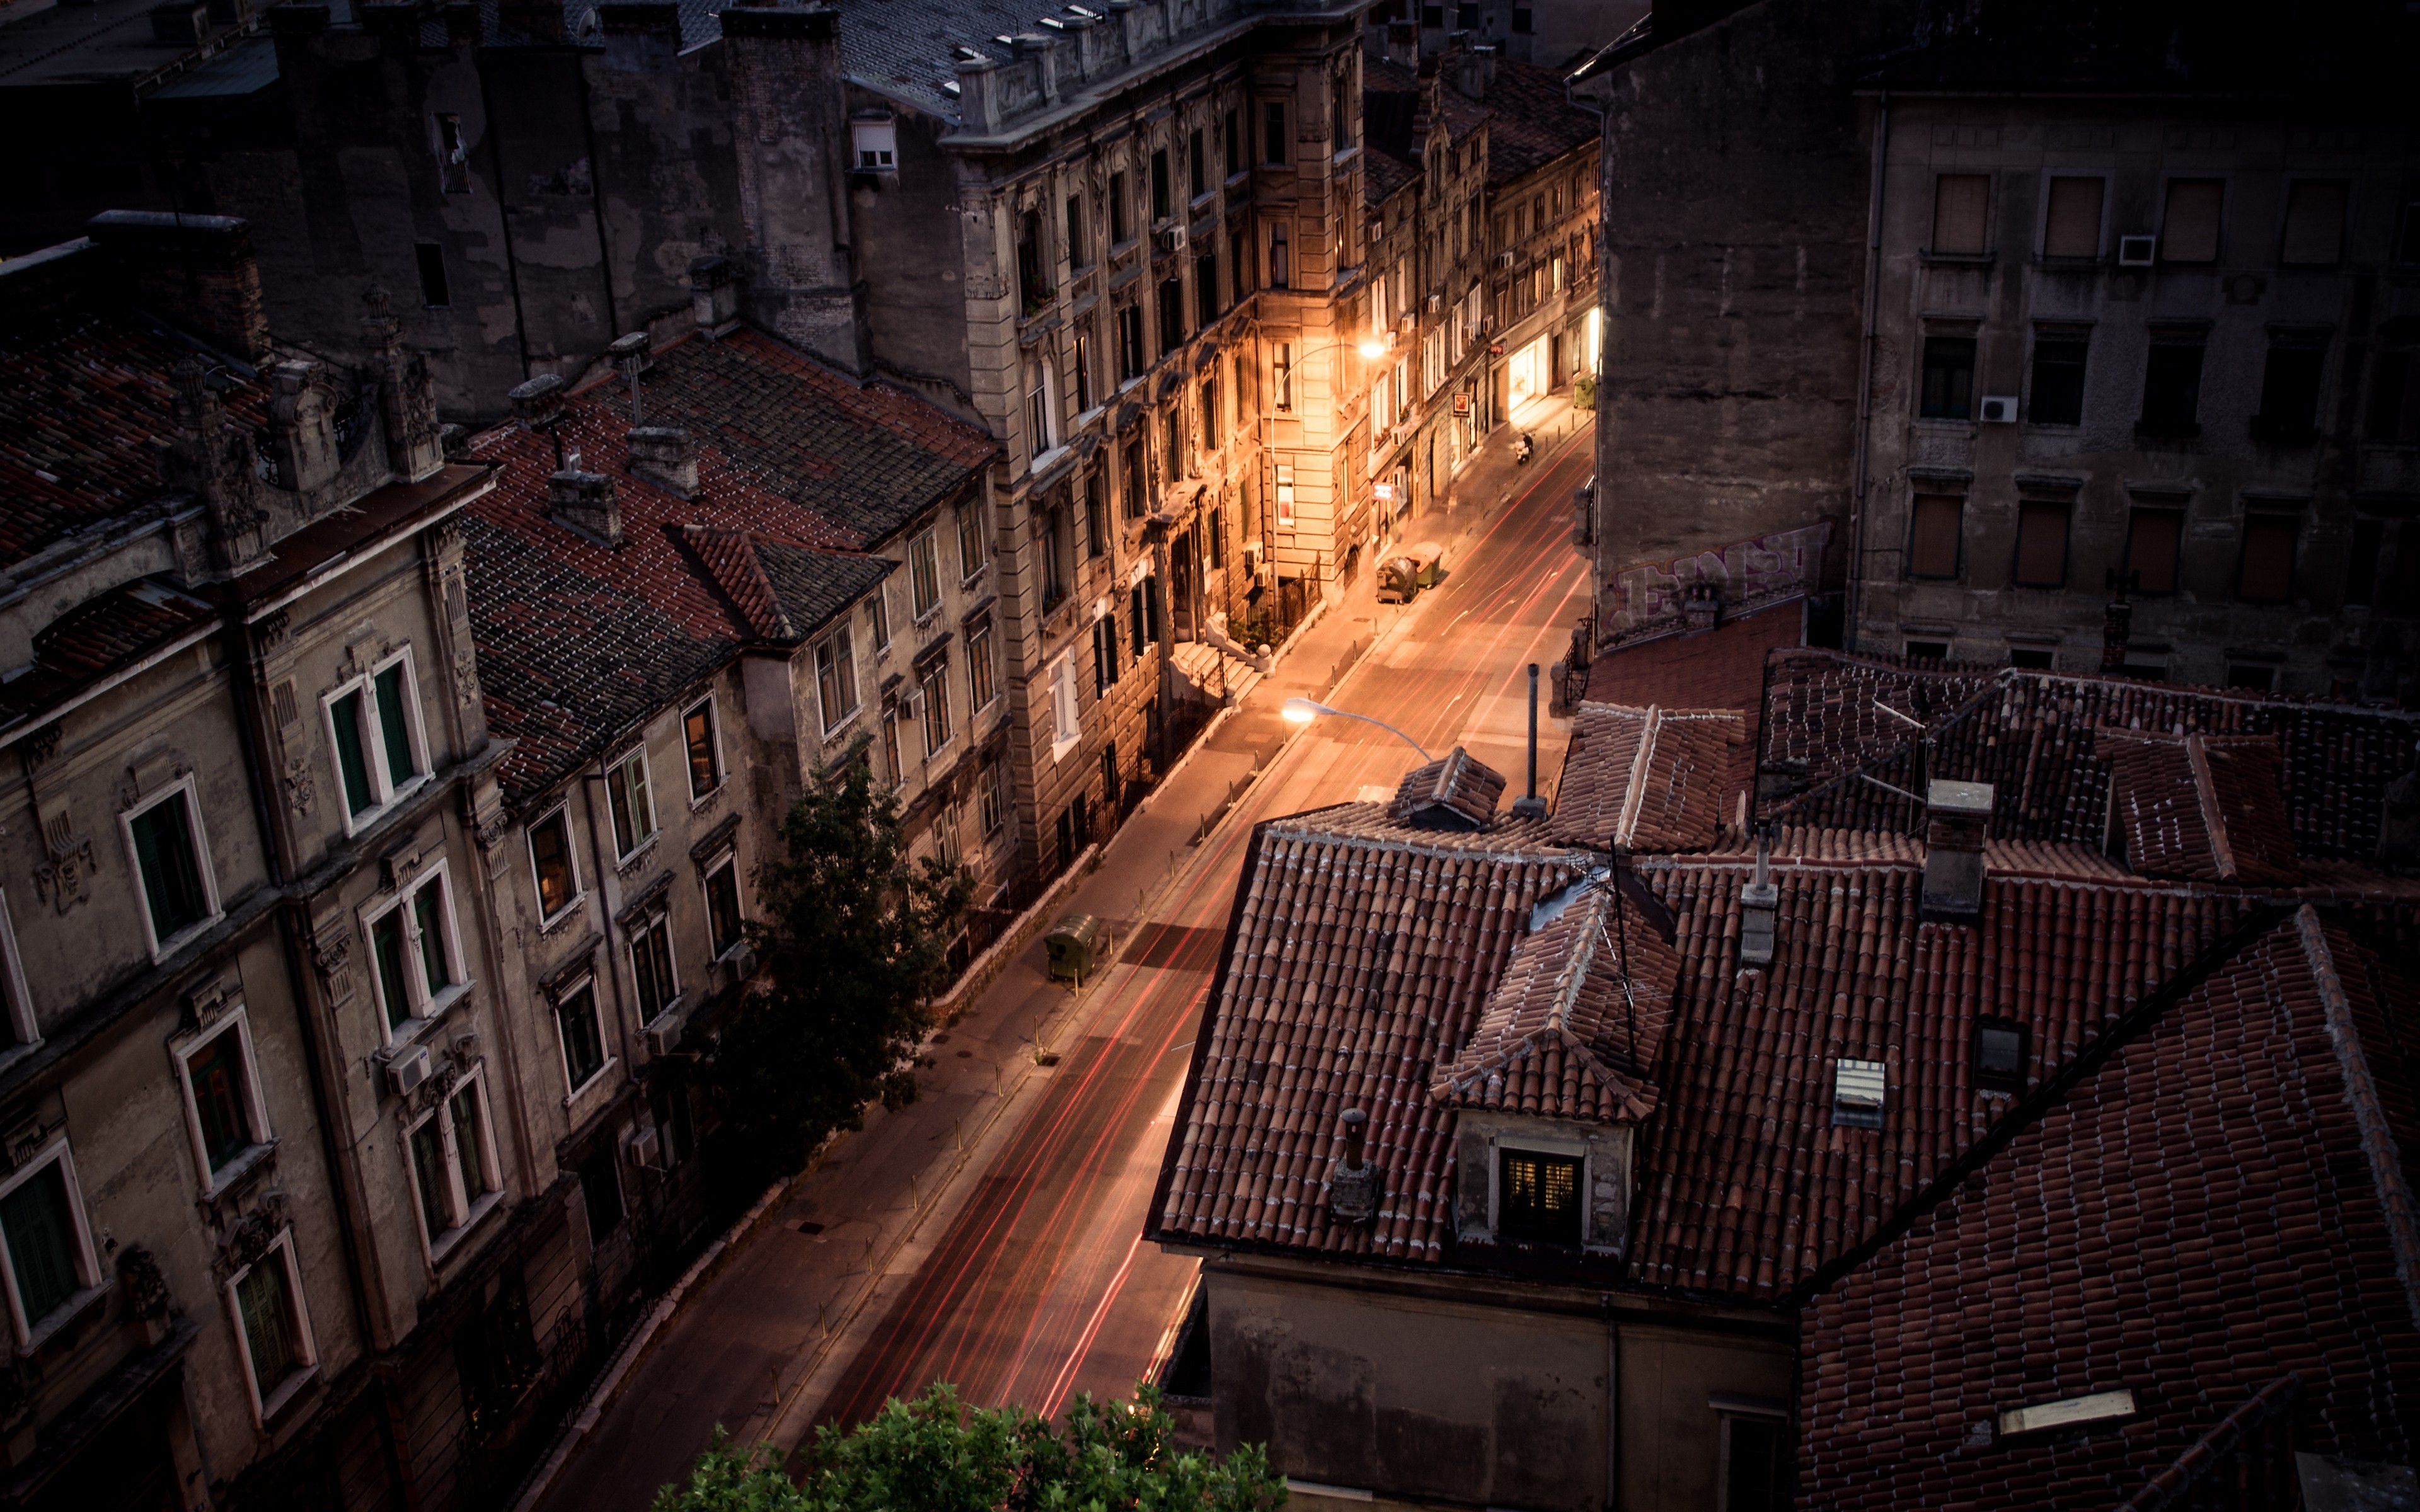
1042	1286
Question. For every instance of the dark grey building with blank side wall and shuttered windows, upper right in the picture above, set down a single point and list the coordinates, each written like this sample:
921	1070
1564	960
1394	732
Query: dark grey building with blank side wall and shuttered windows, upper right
2022	352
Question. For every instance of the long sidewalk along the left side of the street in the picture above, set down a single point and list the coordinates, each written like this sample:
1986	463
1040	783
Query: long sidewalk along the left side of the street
761	1334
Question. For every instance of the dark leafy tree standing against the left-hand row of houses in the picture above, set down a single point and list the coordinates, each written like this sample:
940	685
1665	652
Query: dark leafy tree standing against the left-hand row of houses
853	940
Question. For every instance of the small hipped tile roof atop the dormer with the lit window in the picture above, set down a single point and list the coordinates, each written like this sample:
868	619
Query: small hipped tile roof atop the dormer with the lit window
1574	1022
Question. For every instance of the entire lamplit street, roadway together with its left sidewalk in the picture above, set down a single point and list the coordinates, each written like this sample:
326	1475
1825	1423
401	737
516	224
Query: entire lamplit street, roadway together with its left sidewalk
991	1233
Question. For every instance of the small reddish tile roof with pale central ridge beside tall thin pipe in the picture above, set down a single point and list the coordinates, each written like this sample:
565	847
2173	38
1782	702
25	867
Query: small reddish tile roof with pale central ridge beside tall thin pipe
1647	778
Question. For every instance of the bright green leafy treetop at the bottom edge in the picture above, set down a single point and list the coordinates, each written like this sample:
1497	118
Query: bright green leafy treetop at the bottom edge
935	1455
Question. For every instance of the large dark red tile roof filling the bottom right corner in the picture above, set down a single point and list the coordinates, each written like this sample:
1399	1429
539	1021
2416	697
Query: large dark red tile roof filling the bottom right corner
2218	1201
